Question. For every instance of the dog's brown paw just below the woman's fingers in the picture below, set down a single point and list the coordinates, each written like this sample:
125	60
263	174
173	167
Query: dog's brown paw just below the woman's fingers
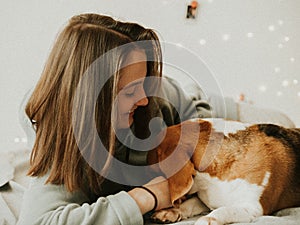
167	215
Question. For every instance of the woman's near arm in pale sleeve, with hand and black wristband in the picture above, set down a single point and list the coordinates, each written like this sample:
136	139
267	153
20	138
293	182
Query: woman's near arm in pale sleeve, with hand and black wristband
52	204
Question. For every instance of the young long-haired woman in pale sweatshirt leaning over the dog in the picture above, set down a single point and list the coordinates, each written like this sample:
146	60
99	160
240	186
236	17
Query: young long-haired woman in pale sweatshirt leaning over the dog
93	88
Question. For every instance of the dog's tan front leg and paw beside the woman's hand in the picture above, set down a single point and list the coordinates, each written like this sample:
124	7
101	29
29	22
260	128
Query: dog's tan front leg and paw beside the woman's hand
187	209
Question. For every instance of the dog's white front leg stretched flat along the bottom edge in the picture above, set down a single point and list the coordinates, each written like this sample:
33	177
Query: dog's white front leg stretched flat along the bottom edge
232	214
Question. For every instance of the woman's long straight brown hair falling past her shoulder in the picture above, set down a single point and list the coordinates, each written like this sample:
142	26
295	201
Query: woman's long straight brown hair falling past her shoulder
50	108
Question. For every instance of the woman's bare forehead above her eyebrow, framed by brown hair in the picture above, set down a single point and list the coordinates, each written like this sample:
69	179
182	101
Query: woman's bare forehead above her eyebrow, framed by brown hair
134	68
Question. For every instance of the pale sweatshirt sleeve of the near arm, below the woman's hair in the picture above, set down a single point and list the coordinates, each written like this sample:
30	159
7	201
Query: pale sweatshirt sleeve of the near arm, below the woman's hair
52	204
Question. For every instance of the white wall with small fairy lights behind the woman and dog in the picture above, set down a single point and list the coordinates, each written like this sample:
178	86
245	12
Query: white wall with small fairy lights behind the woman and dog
265	66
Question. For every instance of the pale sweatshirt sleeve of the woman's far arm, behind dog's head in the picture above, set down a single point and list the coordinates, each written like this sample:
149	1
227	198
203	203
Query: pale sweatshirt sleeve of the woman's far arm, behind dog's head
190	102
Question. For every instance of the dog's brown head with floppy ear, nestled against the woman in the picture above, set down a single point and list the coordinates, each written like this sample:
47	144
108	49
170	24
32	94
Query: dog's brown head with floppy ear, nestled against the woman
177	157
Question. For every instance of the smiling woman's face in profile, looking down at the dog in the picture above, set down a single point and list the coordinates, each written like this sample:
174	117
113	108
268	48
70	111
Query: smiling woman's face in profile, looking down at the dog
131	93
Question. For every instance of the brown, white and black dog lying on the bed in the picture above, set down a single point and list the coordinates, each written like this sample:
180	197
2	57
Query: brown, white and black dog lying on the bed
238	176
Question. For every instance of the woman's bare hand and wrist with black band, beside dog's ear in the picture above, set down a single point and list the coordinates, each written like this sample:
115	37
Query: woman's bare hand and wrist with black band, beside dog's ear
160	187
